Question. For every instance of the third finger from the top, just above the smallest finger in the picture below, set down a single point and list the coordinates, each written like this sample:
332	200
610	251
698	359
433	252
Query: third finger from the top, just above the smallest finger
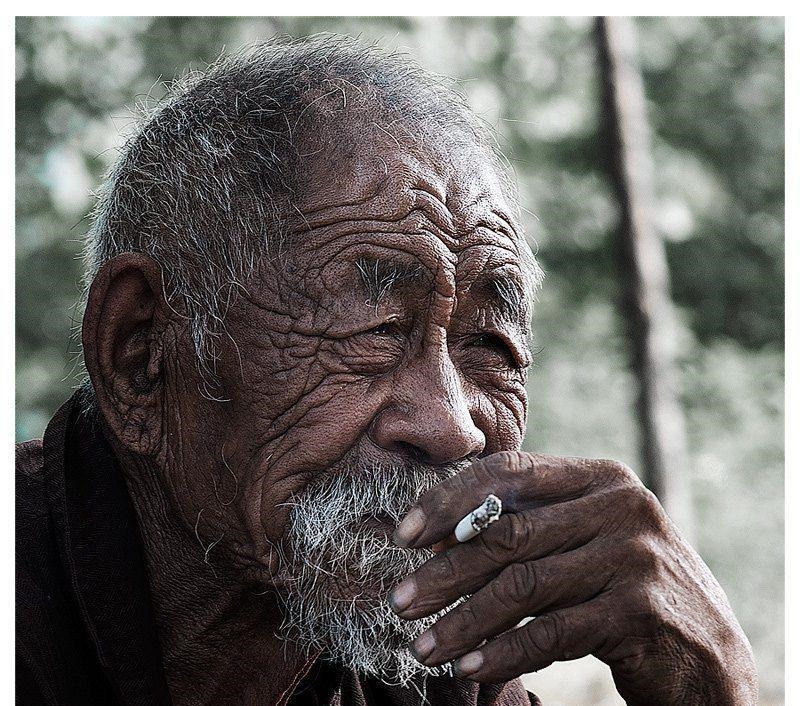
519	591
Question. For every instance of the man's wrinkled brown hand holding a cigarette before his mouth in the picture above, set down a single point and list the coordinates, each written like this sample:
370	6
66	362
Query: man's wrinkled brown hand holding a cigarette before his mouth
585	548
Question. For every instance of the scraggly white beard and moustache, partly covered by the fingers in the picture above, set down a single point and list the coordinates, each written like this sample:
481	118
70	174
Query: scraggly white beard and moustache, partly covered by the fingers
338	572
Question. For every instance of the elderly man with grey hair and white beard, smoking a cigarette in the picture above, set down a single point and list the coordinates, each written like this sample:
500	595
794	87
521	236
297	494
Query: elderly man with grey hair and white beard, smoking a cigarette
306	343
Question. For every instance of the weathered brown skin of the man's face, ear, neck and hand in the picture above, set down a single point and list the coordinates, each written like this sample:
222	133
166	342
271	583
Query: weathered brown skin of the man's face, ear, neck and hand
311	368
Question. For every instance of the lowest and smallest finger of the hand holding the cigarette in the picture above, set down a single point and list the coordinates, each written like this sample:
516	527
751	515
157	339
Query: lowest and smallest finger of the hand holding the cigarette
562	635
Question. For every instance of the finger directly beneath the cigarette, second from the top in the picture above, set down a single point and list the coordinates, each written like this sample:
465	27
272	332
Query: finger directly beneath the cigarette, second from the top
520	537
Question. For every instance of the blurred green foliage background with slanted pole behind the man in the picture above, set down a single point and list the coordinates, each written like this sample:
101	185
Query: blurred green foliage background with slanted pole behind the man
703	101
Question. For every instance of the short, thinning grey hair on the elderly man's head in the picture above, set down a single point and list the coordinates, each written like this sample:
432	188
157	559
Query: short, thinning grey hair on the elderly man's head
206	184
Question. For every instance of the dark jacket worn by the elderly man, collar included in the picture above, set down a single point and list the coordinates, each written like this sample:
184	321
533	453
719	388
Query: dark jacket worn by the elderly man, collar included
85	629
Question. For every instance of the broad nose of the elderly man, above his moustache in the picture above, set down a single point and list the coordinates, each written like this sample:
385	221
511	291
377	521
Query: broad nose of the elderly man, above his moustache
430	418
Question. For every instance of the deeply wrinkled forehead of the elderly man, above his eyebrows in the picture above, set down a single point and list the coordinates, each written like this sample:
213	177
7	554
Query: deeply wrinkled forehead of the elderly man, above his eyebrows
440	202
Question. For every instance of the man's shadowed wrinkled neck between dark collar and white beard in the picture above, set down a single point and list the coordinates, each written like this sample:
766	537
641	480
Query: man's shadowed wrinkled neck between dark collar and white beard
218	635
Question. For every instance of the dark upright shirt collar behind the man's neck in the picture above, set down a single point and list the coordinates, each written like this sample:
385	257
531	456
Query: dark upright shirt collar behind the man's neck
102	553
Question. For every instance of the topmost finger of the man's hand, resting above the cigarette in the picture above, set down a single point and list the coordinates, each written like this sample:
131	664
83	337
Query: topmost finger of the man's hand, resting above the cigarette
521	480
